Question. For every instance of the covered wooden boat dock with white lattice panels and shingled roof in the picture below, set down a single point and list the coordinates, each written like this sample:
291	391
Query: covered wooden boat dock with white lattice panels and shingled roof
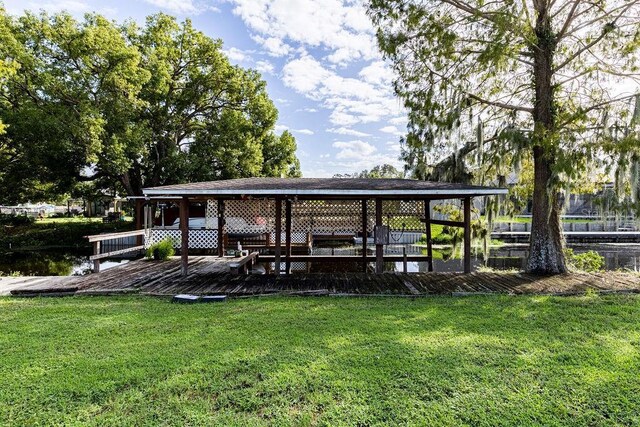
286	212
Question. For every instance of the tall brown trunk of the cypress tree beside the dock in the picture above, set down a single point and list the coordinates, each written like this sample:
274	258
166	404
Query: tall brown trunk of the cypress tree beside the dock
546	255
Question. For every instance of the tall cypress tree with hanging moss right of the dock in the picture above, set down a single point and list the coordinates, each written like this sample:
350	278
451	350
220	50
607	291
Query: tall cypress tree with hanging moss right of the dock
533	78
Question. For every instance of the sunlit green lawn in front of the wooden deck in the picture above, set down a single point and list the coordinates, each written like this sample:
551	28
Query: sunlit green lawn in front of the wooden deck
321	361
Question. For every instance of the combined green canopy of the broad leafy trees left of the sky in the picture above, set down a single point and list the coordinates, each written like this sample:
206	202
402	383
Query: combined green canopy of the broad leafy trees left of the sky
126	106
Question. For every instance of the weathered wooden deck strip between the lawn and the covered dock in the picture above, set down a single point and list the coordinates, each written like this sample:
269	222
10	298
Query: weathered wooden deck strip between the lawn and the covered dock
210	275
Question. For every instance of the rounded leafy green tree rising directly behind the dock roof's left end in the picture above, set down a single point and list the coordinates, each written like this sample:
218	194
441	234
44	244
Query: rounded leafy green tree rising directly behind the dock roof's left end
203	118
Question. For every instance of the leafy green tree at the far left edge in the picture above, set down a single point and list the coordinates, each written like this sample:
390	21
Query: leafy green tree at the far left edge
59	109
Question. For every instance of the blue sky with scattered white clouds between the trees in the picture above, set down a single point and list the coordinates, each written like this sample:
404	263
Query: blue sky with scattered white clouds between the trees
319	58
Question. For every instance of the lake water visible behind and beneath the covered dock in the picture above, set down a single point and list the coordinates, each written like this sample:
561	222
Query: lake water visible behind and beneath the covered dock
67	263
